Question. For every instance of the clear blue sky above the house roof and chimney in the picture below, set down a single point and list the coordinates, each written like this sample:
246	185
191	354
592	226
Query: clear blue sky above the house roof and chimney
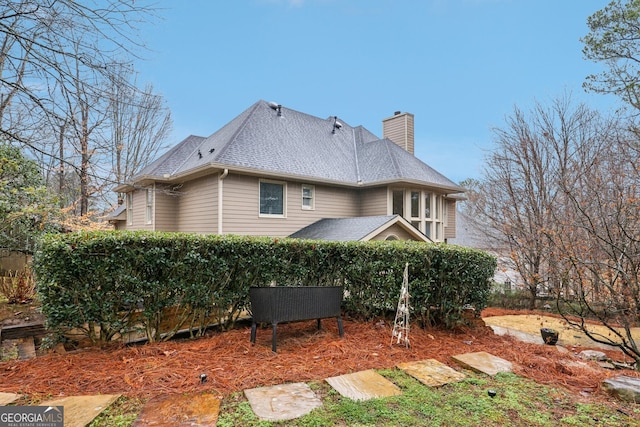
460	66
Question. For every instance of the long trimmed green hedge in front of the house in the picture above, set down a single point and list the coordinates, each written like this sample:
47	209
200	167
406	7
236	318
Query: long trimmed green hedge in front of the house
107	283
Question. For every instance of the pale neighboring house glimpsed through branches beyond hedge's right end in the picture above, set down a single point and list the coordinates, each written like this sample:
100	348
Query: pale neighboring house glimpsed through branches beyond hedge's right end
470	234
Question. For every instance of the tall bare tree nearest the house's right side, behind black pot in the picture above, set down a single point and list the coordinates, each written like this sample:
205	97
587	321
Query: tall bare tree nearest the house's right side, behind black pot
519	191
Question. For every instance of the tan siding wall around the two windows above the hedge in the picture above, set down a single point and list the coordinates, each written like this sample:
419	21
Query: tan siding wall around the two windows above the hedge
241	201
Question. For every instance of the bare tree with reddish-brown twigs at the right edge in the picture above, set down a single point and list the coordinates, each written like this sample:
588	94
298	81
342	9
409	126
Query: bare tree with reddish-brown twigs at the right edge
599	237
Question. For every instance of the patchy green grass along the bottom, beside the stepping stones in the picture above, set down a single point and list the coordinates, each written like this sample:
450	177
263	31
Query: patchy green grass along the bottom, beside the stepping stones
518	402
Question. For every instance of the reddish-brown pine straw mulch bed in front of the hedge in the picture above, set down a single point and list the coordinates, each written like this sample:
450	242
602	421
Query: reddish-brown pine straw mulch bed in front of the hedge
232	364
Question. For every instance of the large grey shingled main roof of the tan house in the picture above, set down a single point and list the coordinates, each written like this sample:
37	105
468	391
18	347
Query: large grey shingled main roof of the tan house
287	143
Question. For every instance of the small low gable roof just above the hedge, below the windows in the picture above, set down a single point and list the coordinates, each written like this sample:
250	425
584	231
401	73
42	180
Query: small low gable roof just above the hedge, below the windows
354	229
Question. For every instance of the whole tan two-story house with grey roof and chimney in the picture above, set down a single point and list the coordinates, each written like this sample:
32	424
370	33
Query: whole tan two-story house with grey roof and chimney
274	171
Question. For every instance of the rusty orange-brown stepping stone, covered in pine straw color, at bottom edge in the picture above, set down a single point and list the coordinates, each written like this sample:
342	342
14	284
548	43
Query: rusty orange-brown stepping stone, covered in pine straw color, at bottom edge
180	410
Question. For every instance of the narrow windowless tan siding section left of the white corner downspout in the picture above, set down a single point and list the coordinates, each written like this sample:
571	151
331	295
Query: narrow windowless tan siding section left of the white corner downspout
198	206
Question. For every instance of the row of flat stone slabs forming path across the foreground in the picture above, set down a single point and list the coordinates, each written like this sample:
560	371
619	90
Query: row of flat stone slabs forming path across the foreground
288	401
